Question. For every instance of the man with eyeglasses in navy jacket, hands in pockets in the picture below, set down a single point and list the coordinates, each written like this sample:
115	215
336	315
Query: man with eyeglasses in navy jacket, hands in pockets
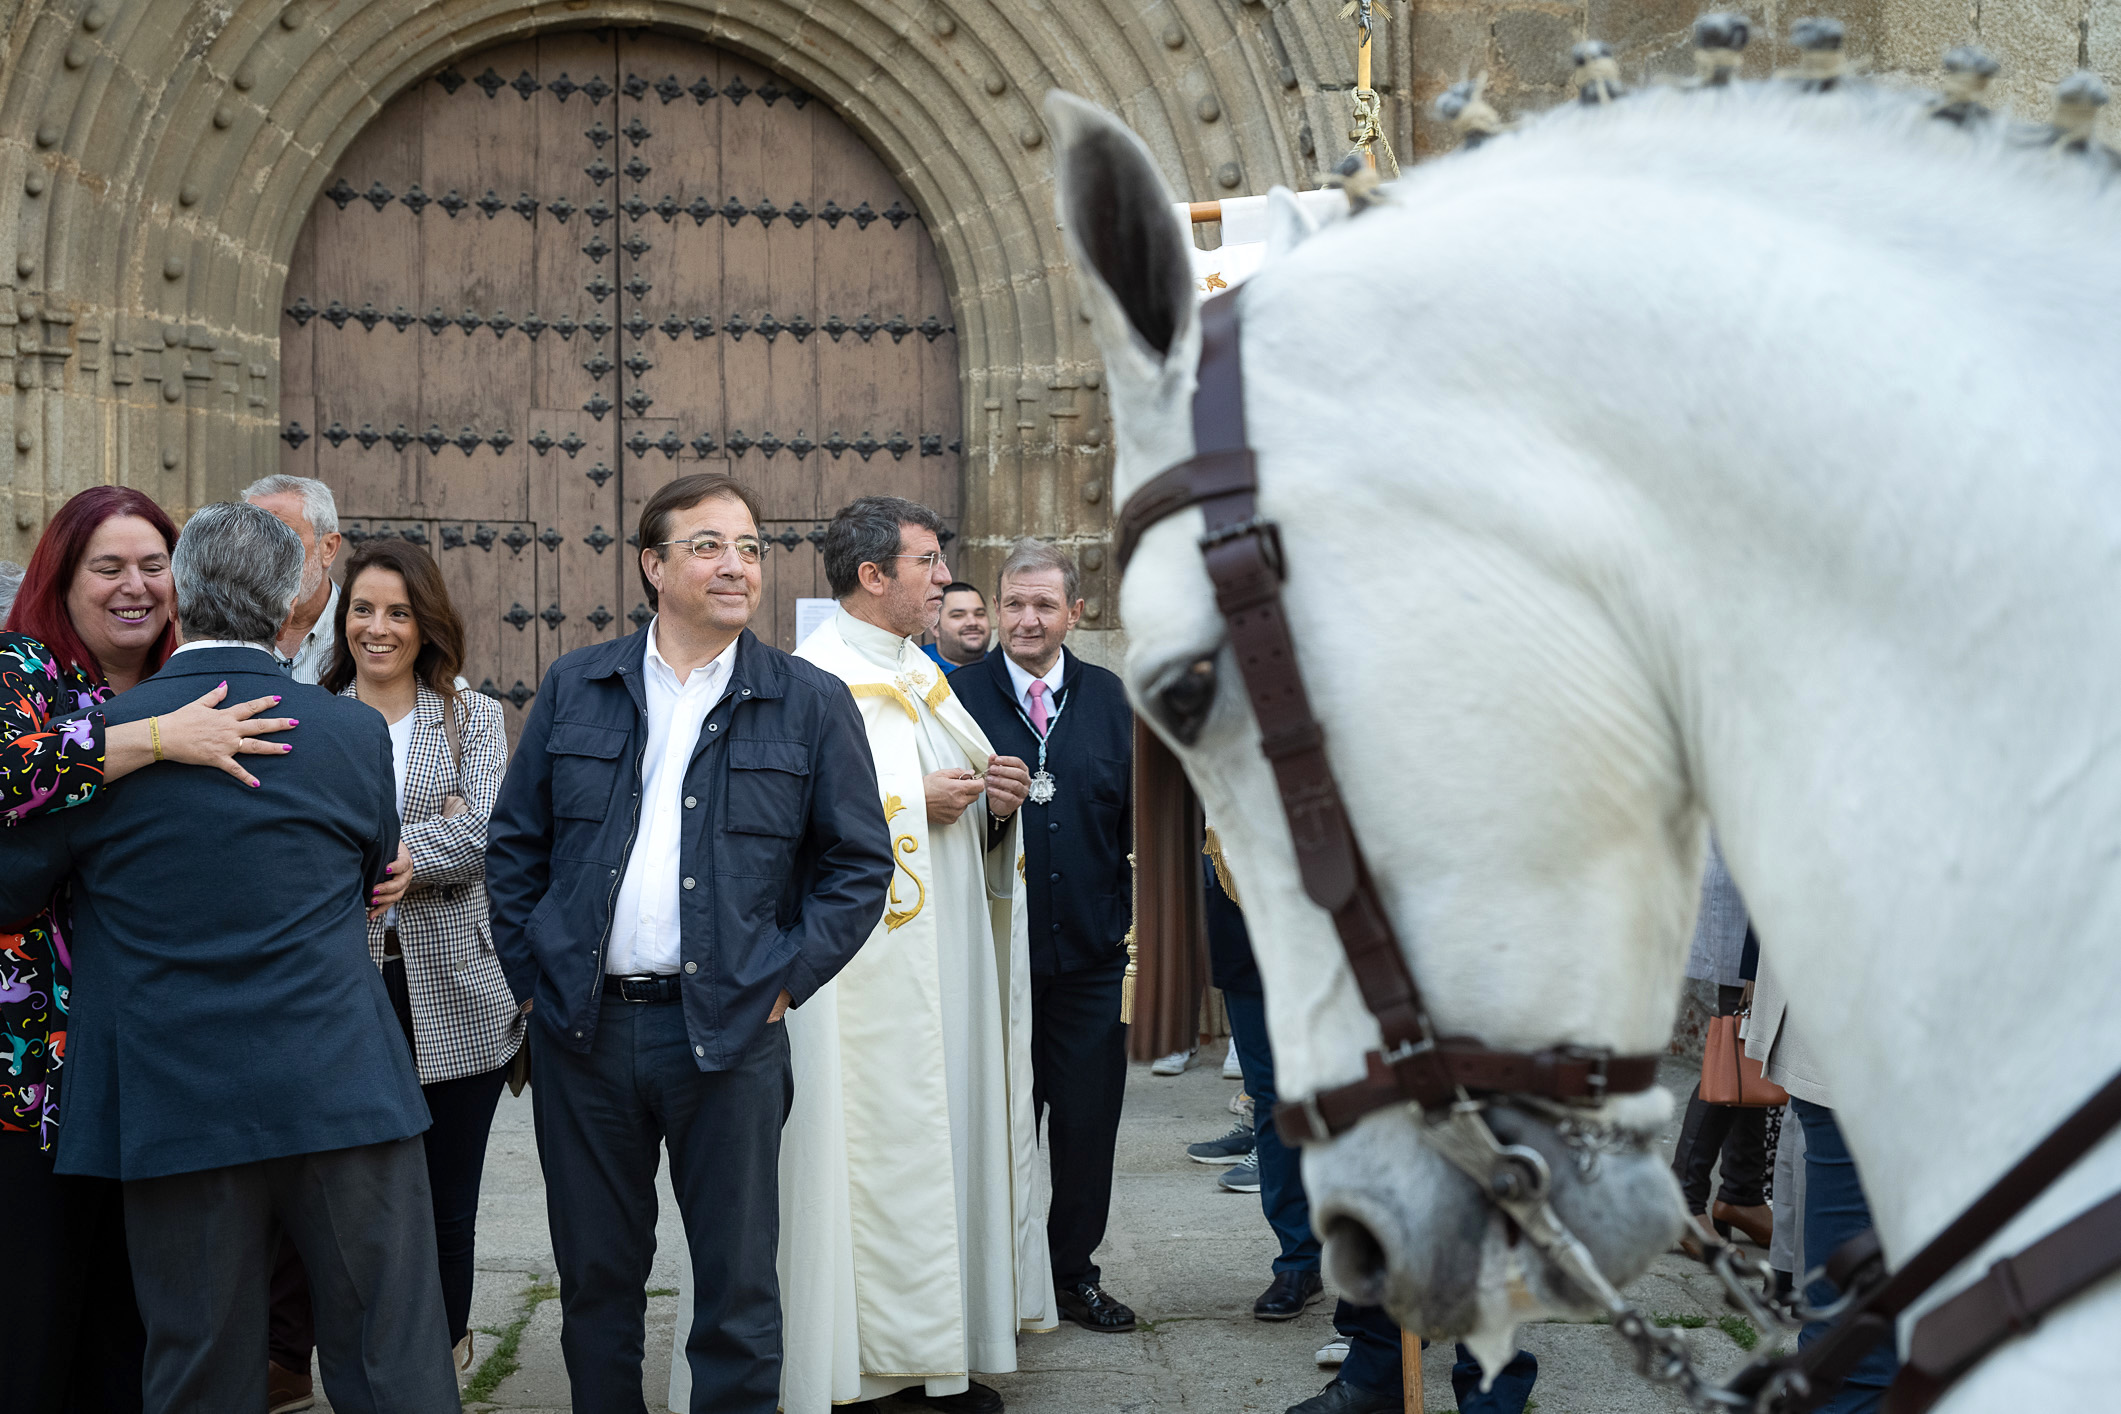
688	845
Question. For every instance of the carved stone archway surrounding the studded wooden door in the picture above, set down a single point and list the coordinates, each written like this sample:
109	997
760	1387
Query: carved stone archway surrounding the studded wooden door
160	160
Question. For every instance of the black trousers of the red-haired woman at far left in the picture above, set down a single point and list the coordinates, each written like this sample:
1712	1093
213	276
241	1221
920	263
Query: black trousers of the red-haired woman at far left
73	1332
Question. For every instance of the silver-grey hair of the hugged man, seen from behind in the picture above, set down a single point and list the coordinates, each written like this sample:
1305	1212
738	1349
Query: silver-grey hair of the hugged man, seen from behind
236	571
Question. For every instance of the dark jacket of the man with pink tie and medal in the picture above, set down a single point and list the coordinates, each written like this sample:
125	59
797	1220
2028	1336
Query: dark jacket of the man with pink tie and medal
1076	847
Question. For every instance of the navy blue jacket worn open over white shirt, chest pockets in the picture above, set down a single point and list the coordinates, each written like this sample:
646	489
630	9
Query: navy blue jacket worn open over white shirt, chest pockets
784	838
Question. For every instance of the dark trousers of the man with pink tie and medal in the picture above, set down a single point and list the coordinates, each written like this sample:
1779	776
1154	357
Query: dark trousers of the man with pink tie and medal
1079	1084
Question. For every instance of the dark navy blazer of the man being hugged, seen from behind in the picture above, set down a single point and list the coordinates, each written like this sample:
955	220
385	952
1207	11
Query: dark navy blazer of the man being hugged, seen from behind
224	1006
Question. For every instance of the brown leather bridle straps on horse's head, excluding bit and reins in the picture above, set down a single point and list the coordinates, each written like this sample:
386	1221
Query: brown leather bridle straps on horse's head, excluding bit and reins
1244	561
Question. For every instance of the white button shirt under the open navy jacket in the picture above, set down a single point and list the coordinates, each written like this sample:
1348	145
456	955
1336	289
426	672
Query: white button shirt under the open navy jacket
646	919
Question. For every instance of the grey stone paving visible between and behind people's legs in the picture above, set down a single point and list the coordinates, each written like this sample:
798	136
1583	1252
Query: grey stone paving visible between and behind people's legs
1185	1254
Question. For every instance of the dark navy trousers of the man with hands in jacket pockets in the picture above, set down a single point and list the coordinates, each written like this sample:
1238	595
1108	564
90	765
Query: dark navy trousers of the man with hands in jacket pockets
601	1123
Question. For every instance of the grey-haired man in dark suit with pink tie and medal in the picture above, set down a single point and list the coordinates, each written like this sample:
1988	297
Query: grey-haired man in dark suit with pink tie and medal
1040	703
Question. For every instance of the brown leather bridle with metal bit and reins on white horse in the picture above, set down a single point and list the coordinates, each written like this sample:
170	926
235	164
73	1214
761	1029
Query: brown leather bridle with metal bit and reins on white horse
1452	1078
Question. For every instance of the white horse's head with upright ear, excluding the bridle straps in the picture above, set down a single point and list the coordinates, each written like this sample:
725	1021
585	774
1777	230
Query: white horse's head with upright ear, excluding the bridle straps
1509	766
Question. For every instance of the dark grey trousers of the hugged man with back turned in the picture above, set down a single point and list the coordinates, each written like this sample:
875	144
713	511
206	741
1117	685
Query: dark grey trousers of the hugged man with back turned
364	1224
